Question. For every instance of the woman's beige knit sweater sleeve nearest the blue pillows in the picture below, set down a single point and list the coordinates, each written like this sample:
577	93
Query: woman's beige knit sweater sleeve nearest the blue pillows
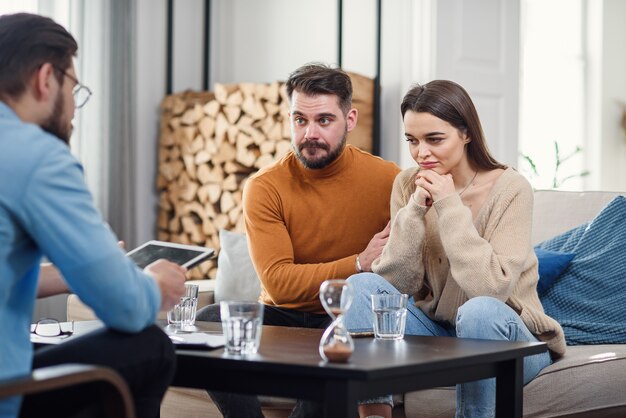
492	264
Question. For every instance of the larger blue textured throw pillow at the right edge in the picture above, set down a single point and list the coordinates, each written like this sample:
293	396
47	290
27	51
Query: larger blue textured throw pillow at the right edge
588	299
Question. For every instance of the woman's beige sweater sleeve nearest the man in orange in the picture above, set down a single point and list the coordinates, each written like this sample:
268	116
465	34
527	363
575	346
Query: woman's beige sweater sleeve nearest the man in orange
401	262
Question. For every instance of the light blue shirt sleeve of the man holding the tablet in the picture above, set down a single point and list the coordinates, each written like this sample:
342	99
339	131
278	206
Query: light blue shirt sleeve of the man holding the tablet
59	215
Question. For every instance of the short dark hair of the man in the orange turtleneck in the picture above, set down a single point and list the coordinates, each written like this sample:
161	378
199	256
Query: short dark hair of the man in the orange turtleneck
316	78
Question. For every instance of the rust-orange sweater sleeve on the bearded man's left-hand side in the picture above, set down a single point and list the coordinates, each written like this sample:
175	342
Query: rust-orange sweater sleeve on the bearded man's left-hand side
286	283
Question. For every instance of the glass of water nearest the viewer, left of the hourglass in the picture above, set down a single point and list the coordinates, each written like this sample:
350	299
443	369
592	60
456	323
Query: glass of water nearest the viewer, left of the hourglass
242	323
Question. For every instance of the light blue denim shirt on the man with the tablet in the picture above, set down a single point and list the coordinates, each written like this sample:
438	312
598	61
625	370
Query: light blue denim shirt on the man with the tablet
46	209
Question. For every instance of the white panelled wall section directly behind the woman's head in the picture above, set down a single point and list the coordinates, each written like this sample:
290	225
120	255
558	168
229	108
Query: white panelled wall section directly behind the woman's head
478	47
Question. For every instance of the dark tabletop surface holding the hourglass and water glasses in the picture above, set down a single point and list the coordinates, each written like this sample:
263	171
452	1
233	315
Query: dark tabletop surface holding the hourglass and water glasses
296	349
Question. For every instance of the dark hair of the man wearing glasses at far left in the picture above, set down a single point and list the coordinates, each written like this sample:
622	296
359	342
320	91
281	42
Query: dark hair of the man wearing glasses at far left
28	41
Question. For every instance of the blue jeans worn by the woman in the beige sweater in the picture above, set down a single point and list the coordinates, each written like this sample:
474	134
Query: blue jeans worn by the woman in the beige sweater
480	317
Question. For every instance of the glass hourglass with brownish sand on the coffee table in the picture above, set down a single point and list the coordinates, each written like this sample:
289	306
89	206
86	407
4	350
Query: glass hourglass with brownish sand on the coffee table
336	344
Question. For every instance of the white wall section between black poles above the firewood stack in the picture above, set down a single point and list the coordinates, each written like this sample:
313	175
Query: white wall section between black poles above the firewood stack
262	41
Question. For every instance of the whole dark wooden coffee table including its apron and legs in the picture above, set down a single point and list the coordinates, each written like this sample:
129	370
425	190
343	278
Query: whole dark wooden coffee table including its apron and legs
289	365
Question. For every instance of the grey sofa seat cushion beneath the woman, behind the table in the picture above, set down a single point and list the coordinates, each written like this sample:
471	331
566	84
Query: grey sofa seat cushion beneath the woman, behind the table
589	381
